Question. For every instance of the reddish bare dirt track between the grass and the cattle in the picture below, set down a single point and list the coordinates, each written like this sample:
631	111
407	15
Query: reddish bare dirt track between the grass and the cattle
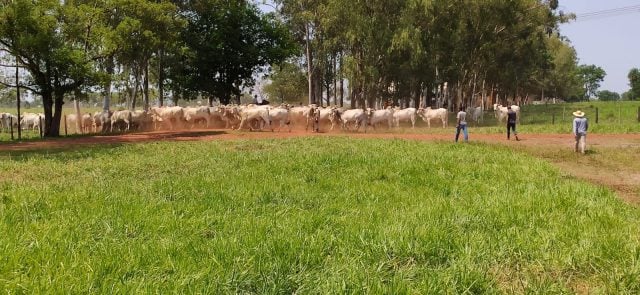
625	182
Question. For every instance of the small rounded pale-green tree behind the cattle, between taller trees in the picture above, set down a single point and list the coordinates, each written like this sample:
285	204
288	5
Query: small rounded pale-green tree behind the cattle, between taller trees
288	84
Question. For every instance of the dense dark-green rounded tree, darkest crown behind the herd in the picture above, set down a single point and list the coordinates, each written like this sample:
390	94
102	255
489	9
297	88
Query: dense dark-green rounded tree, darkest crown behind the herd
226	42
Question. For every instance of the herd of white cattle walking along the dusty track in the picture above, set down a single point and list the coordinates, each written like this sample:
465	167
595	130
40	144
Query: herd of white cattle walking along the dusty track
251	117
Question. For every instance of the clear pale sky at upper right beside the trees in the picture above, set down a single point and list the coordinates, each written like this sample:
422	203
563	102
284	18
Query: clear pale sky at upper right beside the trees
610	41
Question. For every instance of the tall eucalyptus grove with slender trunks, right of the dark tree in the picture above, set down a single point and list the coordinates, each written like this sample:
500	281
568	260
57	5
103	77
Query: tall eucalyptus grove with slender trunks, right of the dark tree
439	52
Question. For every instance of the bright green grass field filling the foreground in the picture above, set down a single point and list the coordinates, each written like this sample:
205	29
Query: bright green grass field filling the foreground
314	215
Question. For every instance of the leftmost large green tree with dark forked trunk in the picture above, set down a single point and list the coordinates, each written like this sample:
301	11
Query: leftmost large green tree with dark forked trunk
55	42
